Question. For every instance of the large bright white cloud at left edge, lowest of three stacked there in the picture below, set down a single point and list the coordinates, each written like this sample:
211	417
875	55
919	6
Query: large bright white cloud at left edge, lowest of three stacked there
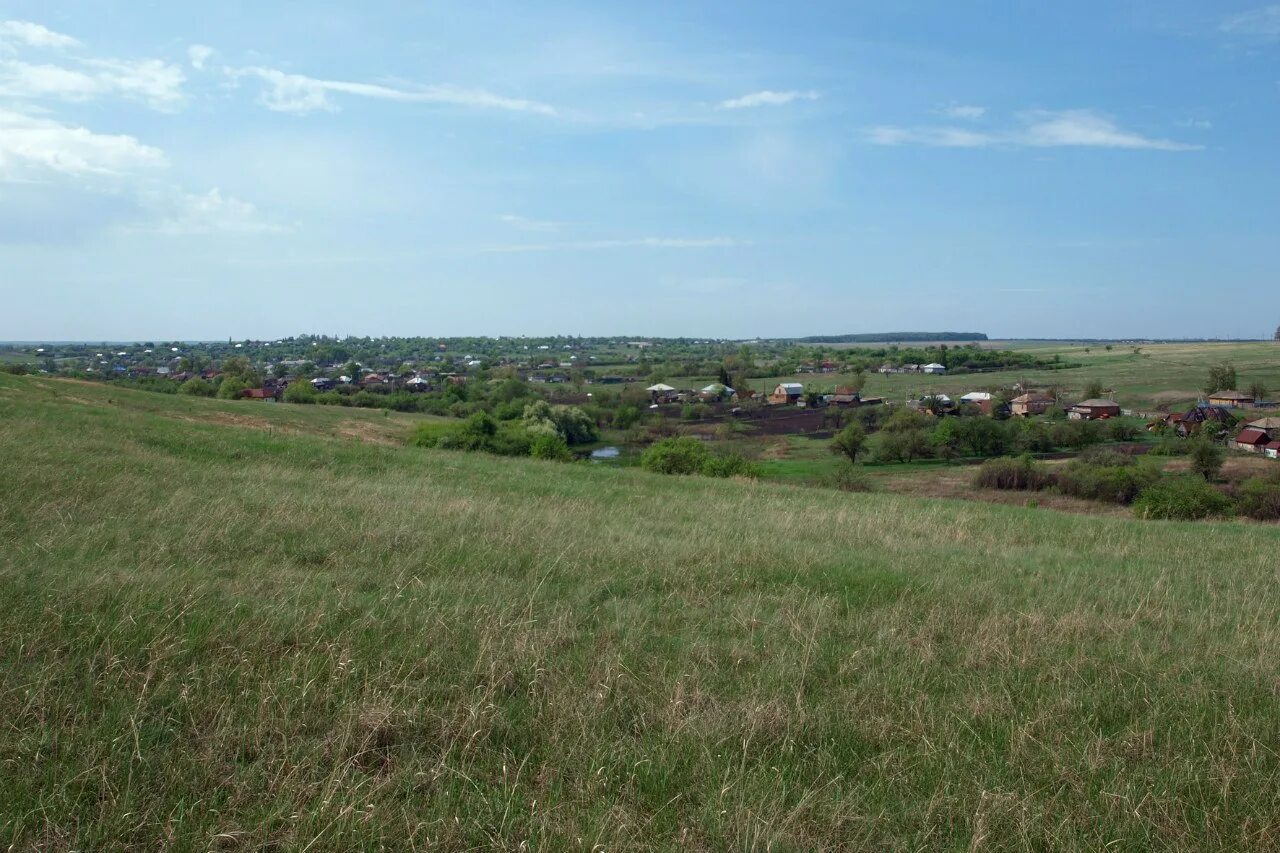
35	148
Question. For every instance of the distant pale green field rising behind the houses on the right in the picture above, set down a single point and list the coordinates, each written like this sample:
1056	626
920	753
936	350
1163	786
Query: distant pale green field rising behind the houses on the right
1160	375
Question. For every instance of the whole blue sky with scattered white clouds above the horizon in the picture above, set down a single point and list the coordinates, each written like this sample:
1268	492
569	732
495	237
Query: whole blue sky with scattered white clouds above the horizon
257	170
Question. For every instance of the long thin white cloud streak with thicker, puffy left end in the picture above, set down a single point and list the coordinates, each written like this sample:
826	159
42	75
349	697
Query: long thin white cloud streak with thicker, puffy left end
300	94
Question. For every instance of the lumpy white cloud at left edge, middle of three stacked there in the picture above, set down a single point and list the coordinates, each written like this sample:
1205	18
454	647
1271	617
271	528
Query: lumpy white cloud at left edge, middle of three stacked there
150	80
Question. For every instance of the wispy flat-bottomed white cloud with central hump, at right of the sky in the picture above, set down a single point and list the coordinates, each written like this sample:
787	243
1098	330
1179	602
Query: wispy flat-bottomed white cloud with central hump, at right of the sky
1040	129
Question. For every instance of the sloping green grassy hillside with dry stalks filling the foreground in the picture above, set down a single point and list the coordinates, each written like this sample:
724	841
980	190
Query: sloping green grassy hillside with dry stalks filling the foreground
236	636
